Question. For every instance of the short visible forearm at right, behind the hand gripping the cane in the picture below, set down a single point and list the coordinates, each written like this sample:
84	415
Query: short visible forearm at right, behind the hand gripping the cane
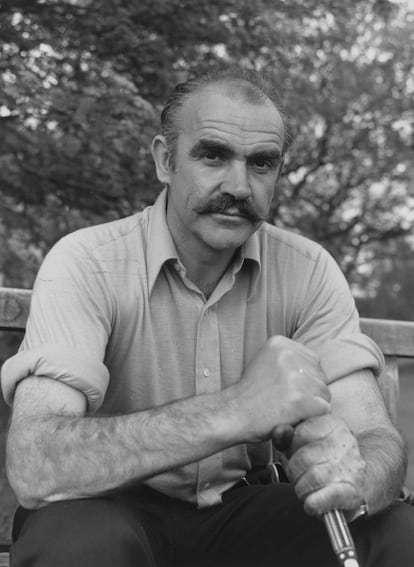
384	453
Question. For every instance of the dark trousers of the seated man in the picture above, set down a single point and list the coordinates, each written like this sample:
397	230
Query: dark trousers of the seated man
256	526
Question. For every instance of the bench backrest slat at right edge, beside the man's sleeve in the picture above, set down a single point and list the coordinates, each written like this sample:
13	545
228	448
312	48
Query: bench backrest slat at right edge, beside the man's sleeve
395	338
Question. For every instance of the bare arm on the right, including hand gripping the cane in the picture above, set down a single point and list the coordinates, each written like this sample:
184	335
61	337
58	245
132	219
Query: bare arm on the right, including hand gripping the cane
353	455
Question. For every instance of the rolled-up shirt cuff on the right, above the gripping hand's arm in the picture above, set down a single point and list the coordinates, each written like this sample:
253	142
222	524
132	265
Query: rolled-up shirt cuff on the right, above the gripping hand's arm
344	356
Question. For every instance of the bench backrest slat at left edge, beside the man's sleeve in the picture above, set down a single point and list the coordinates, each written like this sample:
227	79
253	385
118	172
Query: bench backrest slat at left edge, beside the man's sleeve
14	308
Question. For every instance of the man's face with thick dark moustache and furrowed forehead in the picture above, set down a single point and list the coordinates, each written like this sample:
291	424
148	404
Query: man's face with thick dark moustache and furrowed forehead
227	163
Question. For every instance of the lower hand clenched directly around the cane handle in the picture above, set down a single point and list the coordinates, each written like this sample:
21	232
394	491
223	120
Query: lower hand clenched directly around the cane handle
326	466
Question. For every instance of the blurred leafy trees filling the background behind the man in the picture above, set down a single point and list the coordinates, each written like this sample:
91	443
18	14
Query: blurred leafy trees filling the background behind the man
81	88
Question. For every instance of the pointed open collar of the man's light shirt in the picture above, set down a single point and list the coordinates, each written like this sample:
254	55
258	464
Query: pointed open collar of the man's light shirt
161	247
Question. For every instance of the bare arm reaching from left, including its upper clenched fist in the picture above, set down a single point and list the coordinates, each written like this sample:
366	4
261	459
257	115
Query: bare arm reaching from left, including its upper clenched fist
73	456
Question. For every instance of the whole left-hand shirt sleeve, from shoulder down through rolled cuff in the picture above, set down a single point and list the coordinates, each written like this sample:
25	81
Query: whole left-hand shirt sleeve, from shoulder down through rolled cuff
68	326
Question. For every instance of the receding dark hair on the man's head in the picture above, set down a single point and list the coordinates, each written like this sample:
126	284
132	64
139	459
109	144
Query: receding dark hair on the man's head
253	85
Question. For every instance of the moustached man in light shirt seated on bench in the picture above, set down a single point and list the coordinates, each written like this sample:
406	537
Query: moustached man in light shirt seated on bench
164	352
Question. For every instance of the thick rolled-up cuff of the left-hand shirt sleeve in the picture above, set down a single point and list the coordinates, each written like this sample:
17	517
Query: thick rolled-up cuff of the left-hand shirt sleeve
89	376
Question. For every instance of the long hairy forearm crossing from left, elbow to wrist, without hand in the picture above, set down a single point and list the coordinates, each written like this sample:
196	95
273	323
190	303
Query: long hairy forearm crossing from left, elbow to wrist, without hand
58	457
